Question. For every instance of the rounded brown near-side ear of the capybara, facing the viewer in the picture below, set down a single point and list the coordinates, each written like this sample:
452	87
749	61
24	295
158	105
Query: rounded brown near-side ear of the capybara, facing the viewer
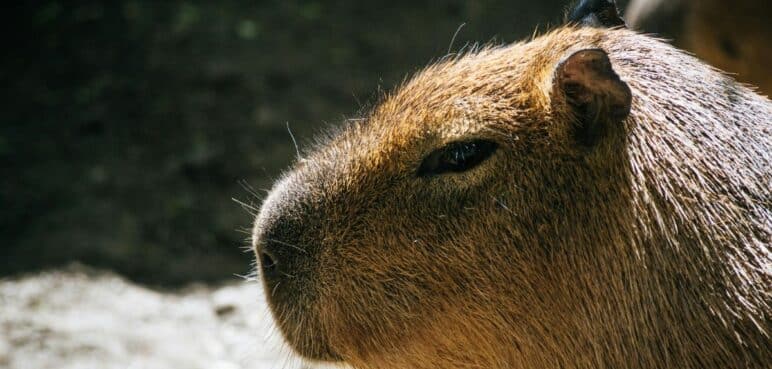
586	84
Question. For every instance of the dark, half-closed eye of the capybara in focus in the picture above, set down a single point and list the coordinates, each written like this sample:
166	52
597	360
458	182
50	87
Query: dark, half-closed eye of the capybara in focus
456	157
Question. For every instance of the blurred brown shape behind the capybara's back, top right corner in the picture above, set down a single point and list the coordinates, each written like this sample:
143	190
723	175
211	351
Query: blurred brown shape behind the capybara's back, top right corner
732	35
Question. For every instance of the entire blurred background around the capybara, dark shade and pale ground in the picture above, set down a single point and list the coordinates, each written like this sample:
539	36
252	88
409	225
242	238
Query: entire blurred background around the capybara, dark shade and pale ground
128	127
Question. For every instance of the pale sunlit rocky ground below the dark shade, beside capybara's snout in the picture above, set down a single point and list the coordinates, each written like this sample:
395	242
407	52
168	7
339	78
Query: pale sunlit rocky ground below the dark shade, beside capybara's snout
78	318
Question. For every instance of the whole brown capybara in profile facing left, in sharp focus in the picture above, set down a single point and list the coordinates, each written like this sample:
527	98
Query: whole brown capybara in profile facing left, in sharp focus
591	198
